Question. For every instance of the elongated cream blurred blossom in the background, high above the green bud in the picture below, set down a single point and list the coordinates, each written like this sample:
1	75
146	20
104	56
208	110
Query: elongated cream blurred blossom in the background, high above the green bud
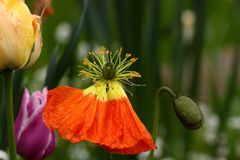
188	25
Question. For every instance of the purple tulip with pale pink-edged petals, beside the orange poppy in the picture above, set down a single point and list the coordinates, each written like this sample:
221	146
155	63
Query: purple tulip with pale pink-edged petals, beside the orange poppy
34	140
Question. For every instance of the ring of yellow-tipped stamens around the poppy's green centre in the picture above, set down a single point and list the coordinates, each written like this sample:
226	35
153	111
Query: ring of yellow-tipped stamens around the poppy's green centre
94	69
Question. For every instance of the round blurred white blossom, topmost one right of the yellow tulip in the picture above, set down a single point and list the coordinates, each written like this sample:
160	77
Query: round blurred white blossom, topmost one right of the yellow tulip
63	32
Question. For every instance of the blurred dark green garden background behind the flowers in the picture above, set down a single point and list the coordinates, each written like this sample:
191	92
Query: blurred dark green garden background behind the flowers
192	46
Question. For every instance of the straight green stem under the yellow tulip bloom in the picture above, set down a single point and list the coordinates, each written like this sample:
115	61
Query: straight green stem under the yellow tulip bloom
9	112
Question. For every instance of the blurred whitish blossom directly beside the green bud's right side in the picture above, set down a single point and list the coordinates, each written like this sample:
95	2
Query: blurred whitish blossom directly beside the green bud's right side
211	124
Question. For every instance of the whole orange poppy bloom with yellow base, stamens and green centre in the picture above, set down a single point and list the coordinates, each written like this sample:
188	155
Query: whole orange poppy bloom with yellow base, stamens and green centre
102	113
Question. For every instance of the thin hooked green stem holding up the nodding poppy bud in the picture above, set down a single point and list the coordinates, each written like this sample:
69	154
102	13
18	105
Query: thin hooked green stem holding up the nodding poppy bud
156	113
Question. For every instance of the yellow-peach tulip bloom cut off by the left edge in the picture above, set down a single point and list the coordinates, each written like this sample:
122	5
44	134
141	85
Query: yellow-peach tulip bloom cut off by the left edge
20	36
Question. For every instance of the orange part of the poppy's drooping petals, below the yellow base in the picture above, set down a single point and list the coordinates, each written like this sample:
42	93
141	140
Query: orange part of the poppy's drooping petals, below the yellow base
111	124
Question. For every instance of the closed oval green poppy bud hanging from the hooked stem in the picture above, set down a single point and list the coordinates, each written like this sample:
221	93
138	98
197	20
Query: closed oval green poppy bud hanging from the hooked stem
188	112
